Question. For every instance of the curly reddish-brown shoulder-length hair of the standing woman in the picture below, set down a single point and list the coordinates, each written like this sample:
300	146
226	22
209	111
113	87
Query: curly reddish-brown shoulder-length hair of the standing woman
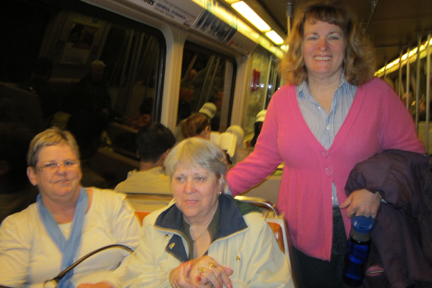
359	61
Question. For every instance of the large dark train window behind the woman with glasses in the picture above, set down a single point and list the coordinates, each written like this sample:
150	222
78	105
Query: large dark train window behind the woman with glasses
102	63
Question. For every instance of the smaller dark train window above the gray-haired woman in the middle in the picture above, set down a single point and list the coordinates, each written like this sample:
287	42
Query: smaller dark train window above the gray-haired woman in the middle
207	76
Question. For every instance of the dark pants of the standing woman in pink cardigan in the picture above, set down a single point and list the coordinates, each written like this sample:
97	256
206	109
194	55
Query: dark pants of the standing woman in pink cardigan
316	273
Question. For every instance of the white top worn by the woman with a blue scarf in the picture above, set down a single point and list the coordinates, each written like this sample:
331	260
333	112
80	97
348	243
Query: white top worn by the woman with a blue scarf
28	256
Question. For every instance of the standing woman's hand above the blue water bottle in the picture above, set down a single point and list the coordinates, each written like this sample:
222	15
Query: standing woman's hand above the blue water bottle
362	202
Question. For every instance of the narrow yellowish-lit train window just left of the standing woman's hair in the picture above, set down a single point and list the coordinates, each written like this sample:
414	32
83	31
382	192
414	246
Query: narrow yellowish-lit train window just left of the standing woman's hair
264	81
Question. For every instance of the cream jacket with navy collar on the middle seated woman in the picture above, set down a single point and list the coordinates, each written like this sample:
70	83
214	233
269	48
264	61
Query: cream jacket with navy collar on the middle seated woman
248	247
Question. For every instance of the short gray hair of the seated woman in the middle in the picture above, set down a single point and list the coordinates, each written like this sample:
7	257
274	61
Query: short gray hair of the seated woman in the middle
195	152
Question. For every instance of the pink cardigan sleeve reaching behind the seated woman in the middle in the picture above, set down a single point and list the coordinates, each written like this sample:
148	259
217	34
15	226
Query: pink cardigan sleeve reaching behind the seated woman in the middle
262	161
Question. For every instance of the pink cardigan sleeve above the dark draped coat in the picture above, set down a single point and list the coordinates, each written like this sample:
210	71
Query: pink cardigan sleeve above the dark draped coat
398	129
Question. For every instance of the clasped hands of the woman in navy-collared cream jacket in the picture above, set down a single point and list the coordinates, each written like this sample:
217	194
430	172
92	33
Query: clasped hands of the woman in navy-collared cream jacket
206	272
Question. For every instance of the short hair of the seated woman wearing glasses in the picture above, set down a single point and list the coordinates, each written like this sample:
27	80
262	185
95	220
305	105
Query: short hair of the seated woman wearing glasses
50	137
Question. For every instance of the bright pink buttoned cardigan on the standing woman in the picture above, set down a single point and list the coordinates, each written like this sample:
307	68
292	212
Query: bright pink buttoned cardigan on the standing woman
376	121
